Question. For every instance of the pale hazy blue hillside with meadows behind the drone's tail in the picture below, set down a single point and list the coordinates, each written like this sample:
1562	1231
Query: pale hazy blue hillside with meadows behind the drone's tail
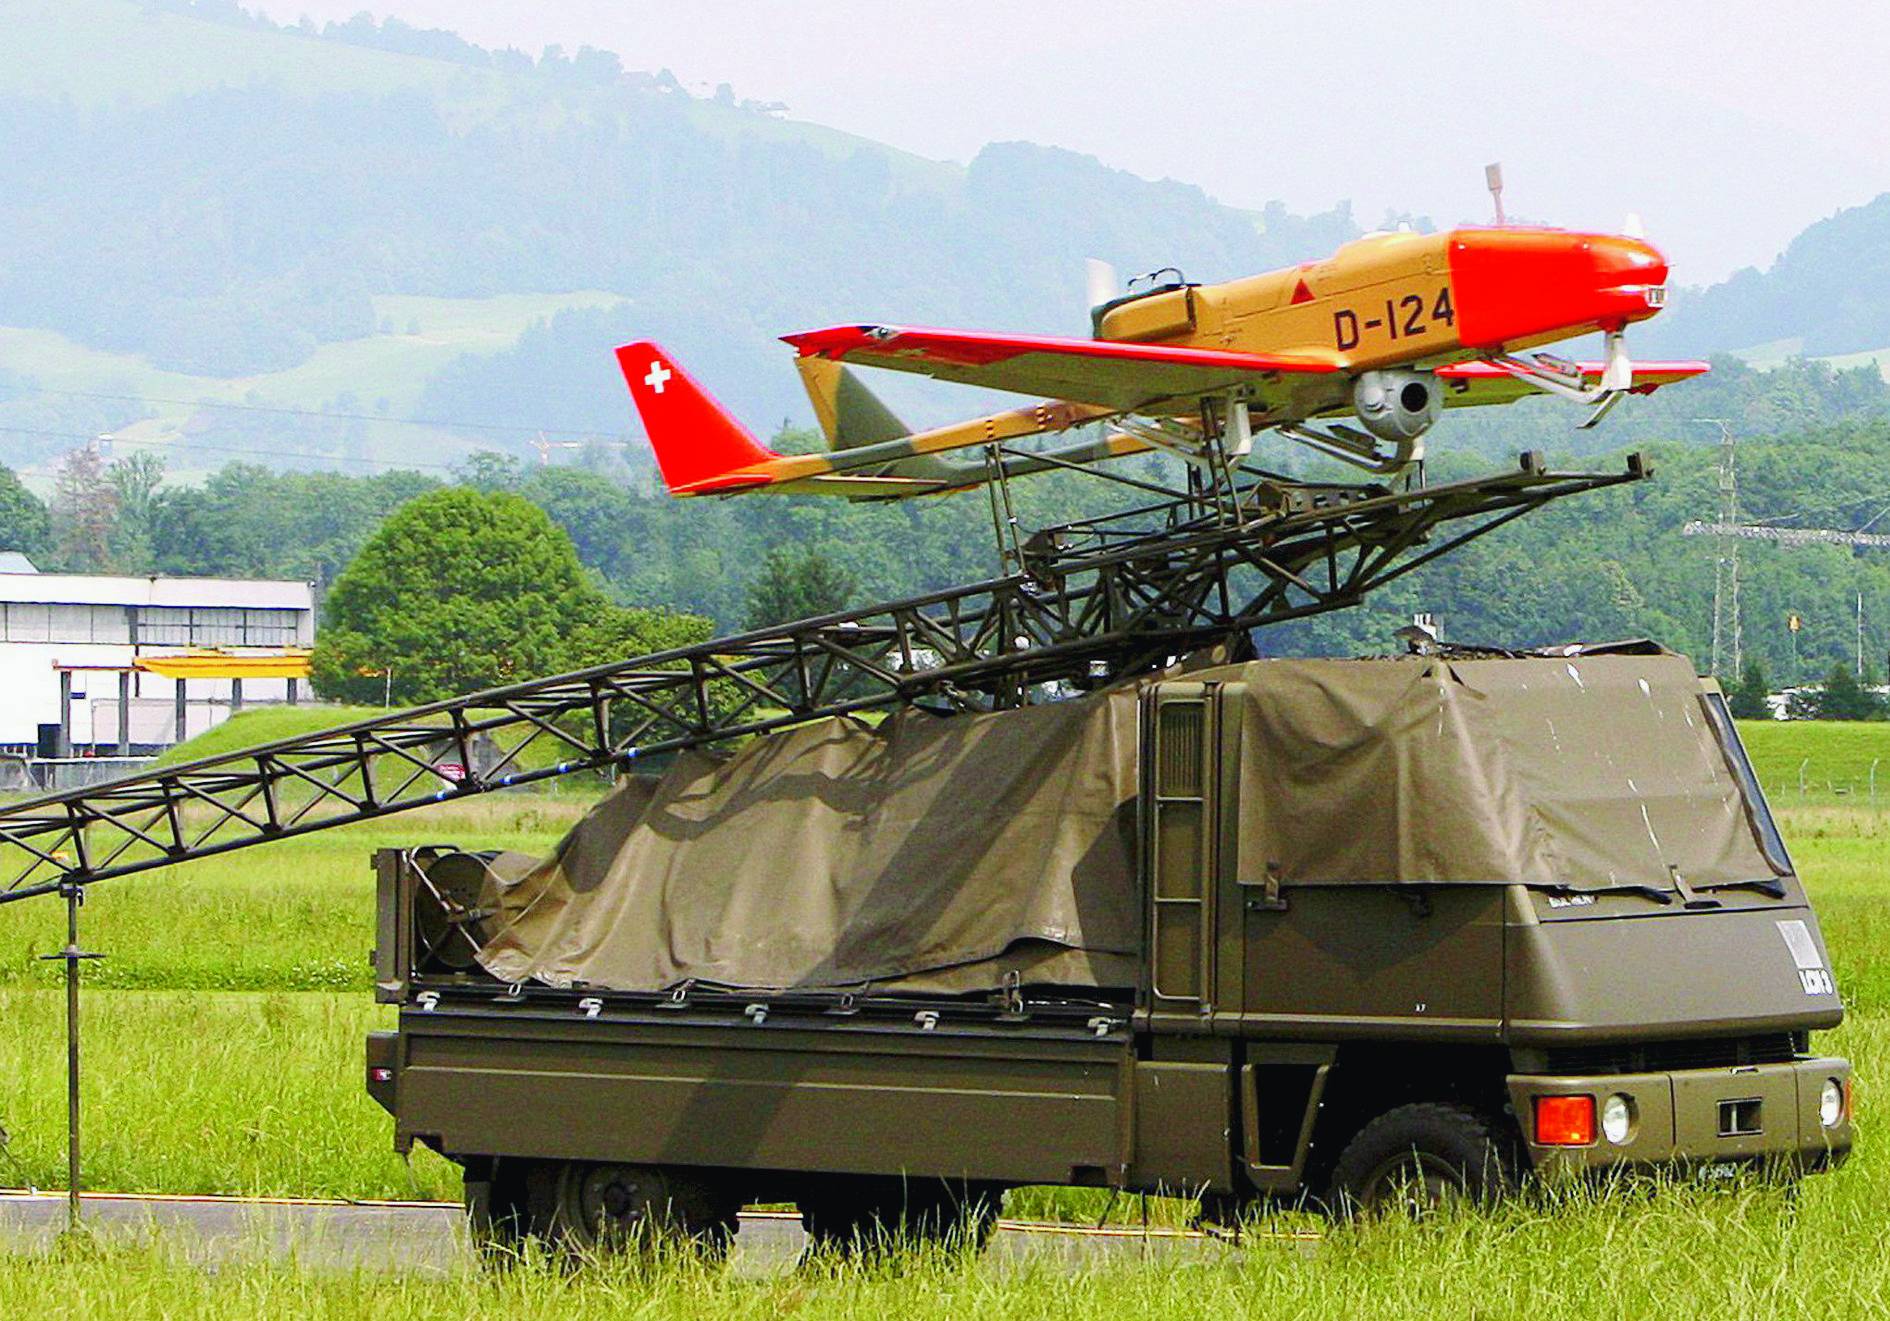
220	235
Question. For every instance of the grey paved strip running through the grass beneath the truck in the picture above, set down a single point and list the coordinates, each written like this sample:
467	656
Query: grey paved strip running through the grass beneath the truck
432	1235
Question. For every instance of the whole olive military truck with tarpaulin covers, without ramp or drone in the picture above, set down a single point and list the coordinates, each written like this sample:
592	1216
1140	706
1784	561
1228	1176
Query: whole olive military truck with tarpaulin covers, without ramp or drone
1347	933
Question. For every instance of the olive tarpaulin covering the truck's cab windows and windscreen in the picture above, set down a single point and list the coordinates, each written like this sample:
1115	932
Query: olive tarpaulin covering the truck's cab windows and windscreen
1587	772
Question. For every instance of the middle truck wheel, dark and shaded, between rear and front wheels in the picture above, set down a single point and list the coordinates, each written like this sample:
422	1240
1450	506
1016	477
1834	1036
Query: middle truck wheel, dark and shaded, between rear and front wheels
872	1216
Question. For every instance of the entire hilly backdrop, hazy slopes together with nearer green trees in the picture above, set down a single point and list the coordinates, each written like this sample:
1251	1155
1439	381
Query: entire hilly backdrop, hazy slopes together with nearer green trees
254	252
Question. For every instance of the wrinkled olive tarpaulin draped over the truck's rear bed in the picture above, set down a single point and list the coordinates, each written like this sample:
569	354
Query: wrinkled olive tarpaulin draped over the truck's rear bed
933	853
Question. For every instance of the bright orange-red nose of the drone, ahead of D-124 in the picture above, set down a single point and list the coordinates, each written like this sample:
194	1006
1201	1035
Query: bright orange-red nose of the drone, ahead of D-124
1543	284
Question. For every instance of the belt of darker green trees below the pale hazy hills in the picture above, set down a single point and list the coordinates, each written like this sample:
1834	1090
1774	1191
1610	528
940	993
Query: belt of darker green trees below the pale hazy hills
1594	568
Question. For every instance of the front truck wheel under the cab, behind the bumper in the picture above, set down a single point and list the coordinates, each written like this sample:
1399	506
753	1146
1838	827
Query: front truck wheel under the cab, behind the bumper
1418	1158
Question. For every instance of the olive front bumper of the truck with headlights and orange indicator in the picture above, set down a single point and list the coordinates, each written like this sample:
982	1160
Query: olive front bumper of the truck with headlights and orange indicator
1710	1124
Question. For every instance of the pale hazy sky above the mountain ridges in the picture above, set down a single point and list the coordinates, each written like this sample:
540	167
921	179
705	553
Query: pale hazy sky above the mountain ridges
1727	126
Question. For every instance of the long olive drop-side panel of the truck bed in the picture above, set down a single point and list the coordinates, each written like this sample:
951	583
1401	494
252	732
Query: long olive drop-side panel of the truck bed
984	1105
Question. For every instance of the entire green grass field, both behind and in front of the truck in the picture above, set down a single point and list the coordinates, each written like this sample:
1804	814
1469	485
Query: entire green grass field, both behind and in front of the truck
226	1055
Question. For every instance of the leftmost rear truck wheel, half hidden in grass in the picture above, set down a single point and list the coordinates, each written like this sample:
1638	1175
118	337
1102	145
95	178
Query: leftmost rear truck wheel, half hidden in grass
627	1207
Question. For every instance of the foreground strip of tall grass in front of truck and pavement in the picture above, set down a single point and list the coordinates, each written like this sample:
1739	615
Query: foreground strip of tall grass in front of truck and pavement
1675	1254
